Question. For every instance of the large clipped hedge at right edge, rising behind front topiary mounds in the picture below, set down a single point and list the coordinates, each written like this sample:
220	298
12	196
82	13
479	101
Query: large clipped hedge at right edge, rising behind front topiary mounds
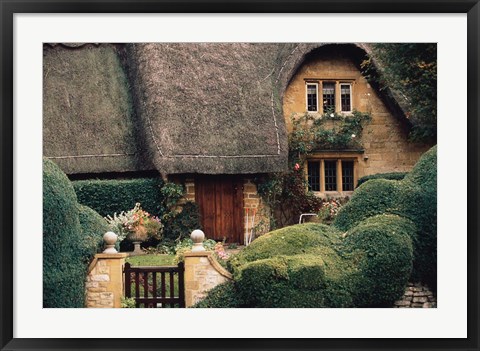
415	198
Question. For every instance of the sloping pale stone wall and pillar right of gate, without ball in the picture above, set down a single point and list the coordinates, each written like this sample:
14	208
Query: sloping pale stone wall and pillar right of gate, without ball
202	273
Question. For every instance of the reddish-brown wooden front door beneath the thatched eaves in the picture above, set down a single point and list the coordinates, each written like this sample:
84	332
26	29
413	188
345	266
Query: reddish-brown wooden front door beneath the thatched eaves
220	199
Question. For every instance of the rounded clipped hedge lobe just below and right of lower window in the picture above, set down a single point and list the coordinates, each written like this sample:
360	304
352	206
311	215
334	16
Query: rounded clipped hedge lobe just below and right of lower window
374	197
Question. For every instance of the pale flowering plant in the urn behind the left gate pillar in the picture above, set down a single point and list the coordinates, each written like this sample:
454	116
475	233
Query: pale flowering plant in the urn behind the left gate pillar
129	222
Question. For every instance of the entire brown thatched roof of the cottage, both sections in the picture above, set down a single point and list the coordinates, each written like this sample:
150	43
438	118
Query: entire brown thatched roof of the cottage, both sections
212	108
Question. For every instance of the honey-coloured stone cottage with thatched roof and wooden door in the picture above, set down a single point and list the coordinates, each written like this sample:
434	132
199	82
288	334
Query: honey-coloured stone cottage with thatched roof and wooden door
214	116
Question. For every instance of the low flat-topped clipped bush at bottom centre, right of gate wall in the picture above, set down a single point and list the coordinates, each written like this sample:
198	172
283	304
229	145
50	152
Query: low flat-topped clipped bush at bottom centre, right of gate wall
299	281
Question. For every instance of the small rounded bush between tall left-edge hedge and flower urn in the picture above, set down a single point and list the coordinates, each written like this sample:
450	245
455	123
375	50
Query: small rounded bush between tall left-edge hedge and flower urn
94	227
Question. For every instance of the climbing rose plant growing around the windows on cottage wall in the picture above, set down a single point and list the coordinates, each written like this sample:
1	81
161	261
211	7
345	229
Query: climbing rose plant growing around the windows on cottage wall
286	193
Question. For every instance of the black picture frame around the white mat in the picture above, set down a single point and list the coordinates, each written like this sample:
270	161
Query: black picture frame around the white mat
9	7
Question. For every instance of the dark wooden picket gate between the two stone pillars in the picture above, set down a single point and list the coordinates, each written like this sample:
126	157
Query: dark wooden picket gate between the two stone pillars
154	287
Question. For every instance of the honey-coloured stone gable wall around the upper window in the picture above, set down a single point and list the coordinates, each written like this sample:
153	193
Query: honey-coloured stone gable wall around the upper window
386	148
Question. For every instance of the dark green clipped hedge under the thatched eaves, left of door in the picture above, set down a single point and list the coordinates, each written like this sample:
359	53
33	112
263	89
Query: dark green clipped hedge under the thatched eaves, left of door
114	196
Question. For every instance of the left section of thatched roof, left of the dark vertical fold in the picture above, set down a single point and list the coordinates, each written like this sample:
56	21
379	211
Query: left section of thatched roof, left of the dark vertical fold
88	124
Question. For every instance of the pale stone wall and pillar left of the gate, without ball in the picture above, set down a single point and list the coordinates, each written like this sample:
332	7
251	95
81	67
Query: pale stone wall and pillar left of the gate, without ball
104	285
